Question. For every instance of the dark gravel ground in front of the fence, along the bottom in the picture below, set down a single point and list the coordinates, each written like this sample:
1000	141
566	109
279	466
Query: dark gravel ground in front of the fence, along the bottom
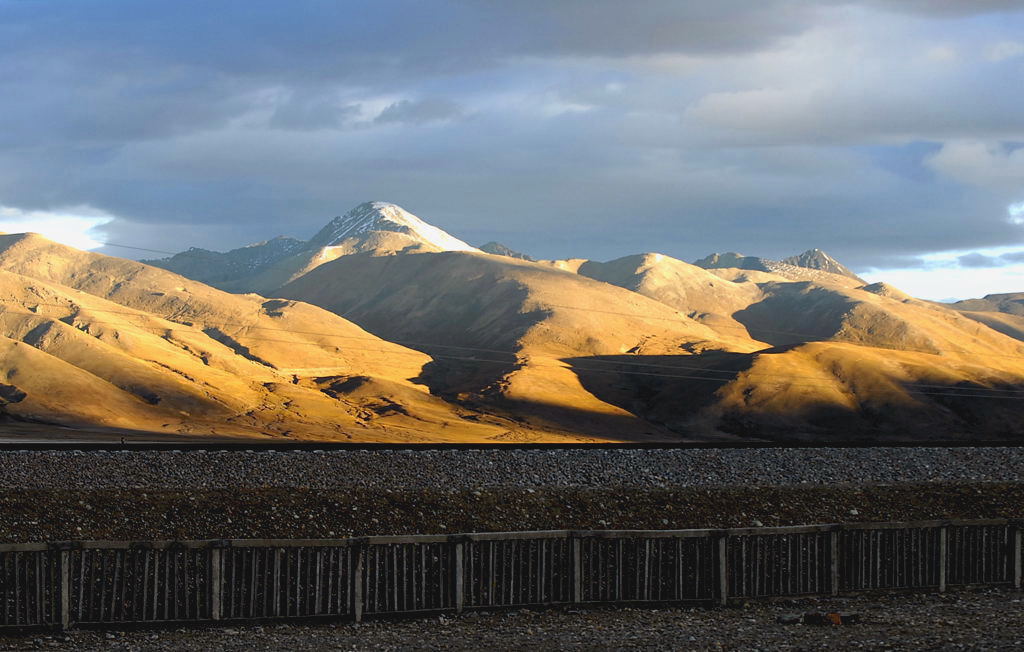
983	621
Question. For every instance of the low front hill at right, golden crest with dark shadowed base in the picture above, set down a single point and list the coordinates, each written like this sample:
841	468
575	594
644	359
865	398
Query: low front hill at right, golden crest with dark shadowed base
821	393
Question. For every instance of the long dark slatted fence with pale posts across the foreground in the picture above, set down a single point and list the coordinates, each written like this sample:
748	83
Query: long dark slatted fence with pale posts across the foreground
97	583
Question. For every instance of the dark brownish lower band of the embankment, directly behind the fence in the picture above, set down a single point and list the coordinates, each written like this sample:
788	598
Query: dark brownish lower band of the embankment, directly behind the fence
49	515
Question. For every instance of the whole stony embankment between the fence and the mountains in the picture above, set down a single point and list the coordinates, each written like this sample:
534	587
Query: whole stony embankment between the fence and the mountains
47	496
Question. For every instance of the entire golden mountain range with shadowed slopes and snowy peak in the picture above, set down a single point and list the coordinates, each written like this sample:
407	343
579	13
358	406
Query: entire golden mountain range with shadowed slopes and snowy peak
383	328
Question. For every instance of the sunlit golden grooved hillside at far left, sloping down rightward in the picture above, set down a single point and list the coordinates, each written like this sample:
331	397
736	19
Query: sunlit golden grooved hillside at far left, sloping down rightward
99	341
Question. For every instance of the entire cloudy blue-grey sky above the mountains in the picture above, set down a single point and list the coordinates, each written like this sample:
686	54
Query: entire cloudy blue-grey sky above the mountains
887	133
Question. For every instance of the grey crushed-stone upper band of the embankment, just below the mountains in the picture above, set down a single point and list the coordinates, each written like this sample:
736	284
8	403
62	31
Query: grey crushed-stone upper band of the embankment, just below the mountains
474	469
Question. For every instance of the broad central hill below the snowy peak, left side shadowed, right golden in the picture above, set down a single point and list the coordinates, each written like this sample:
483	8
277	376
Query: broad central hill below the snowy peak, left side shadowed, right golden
526	316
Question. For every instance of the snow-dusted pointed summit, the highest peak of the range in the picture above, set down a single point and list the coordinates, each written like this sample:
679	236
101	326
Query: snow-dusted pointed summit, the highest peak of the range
382	216
